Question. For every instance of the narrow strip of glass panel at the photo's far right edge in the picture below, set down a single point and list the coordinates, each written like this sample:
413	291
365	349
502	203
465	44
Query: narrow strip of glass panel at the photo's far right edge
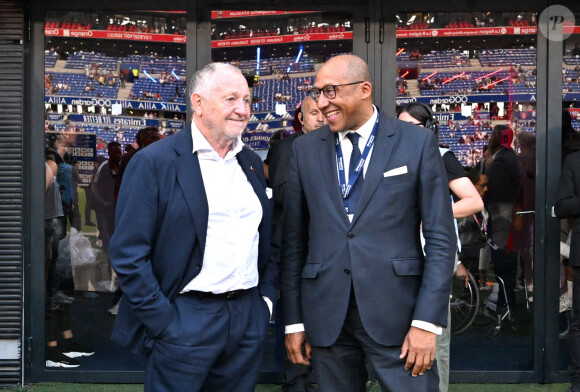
570	143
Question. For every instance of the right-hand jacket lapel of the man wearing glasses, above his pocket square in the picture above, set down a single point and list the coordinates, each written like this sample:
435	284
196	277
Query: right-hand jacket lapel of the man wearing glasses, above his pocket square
379	158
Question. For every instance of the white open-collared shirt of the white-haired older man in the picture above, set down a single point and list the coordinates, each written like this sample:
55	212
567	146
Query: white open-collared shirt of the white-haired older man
230	260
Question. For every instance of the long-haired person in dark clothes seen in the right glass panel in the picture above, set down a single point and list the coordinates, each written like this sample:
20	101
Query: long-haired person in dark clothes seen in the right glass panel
504	174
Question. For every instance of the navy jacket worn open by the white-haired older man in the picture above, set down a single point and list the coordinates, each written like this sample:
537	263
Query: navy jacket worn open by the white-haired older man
161	227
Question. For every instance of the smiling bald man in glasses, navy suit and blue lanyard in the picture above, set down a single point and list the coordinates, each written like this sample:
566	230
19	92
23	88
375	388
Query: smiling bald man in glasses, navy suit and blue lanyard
355	281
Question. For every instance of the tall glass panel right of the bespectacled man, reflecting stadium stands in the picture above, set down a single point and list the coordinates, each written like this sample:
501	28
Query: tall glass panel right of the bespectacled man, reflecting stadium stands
476	72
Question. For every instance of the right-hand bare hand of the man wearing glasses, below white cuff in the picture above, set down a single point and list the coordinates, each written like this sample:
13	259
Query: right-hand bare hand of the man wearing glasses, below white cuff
419	348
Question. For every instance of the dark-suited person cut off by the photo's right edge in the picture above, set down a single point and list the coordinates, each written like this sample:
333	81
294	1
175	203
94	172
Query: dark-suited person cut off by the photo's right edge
568	206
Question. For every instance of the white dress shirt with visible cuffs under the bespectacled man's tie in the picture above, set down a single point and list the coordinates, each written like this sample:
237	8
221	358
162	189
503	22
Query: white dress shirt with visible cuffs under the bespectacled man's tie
365	132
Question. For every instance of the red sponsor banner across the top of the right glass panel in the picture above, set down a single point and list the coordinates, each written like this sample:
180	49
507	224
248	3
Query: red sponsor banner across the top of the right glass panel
465	32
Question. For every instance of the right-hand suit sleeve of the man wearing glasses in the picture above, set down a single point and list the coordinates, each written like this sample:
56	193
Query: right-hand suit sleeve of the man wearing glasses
440	239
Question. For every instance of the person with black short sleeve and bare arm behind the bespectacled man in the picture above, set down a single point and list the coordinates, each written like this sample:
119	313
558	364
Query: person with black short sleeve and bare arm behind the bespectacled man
468	203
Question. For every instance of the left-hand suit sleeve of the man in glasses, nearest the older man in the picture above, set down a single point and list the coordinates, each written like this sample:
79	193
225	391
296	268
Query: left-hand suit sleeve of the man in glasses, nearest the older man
294	242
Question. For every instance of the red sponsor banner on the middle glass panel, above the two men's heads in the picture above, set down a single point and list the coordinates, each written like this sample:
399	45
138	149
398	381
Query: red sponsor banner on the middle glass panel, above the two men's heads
278	39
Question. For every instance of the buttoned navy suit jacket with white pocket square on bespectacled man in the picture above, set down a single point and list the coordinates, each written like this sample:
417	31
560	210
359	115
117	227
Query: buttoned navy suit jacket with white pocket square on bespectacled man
380	252
